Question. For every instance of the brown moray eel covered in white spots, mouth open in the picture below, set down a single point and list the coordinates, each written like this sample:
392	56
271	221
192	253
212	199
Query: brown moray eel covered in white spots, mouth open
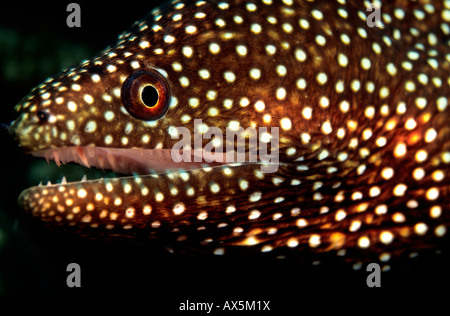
355	108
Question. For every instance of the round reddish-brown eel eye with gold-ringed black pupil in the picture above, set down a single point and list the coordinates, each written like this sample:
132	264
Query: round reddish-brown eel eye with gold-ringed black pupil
145	94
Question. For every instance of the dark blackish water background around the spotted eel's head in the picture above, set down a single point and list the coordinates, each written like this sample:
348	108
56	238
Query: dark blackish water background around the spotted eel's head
35	43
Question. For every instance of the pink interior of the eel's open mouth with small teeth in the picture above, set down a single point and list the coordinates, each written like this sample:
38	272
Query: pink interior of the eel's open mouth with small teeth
121	160
